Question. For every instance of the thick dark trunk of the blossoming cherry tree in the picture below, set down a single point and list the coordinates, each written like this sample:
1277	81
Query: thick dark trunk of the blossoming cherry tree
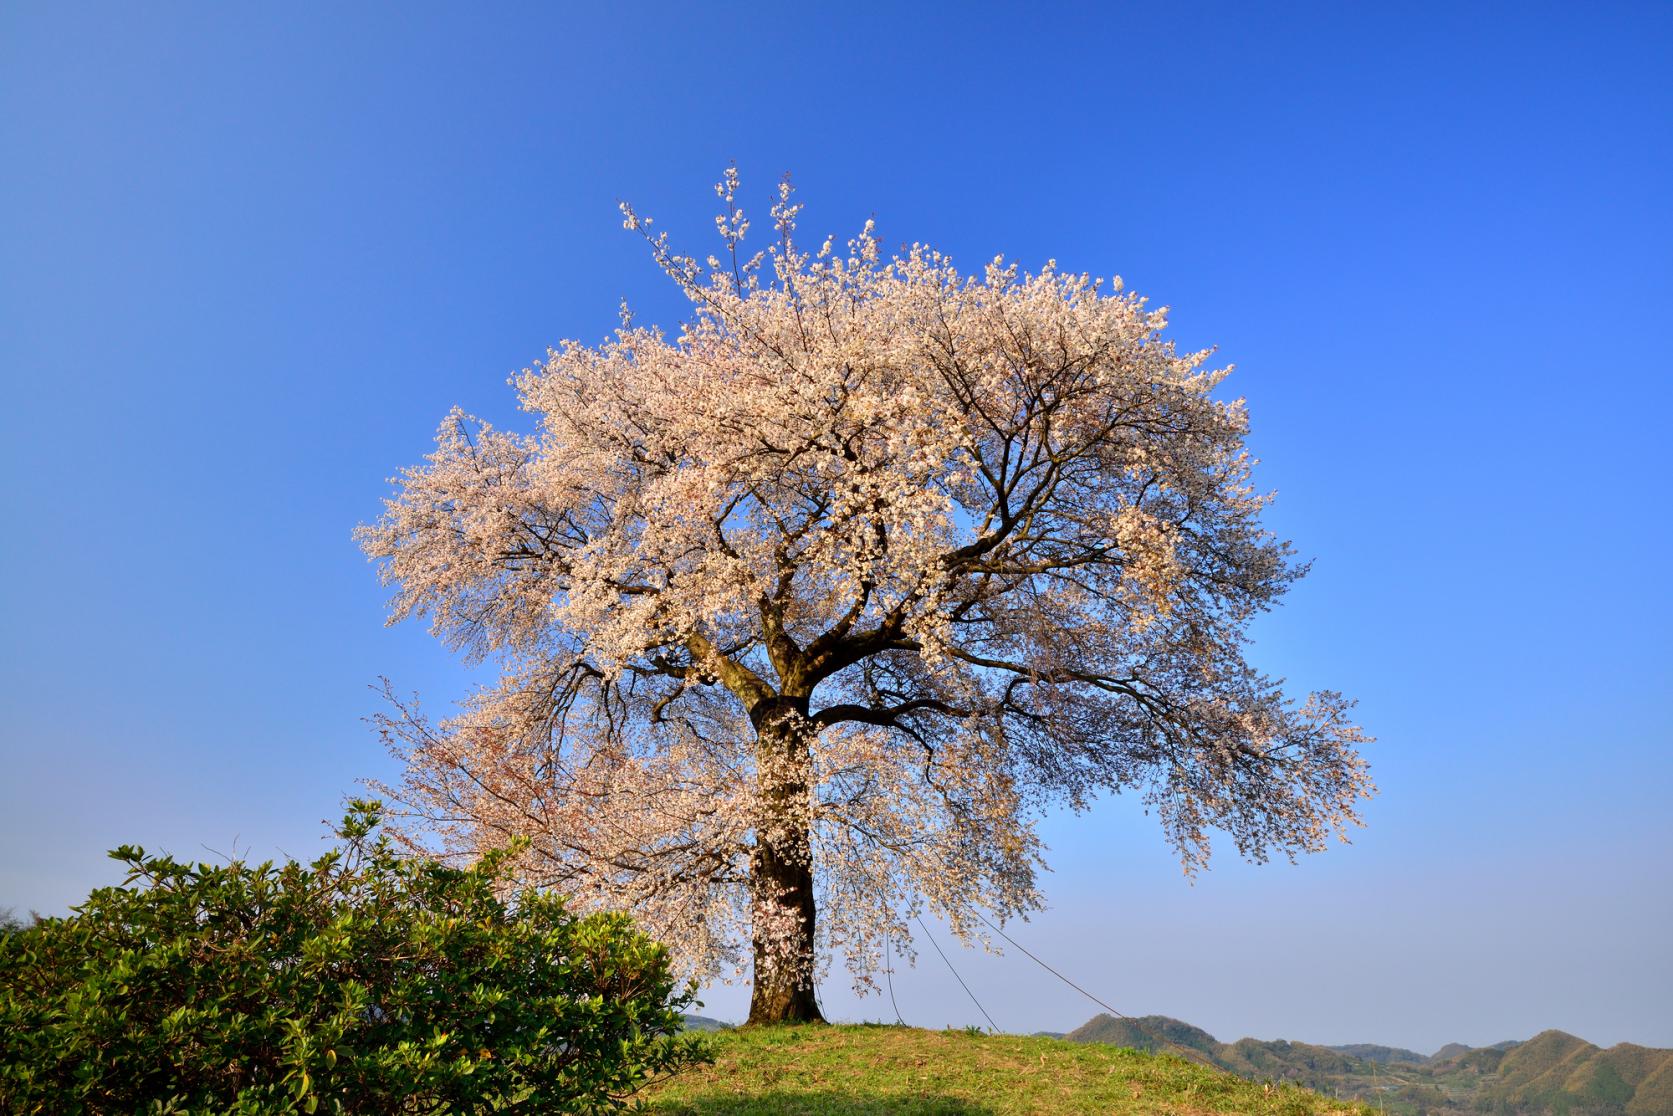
782	873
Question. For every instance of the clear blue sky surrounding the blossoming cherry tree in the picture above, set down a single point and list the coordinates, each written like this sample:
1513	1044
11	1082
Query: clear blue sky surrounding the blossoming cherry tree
252	255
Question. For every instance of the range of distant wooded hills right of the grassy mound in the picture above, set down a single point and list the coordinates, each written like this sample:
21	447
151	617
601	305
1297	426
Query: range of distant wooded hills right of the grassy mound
1550	1075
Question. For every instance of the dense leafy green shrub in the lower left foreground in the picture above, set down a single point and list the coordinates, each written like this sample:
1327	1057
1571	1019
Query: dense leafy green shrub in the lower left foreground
364	983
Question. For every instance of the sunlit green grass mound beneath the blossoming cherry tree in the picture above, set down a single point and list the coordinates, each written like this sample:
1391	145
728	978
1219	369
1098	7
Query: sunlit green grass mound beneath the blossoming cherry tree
852	1072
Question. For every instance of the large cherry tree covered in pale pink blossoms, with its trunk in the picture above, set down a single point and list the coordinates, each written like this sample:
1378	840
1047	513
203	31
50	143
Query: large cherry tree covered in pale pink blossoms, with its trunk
807	613
